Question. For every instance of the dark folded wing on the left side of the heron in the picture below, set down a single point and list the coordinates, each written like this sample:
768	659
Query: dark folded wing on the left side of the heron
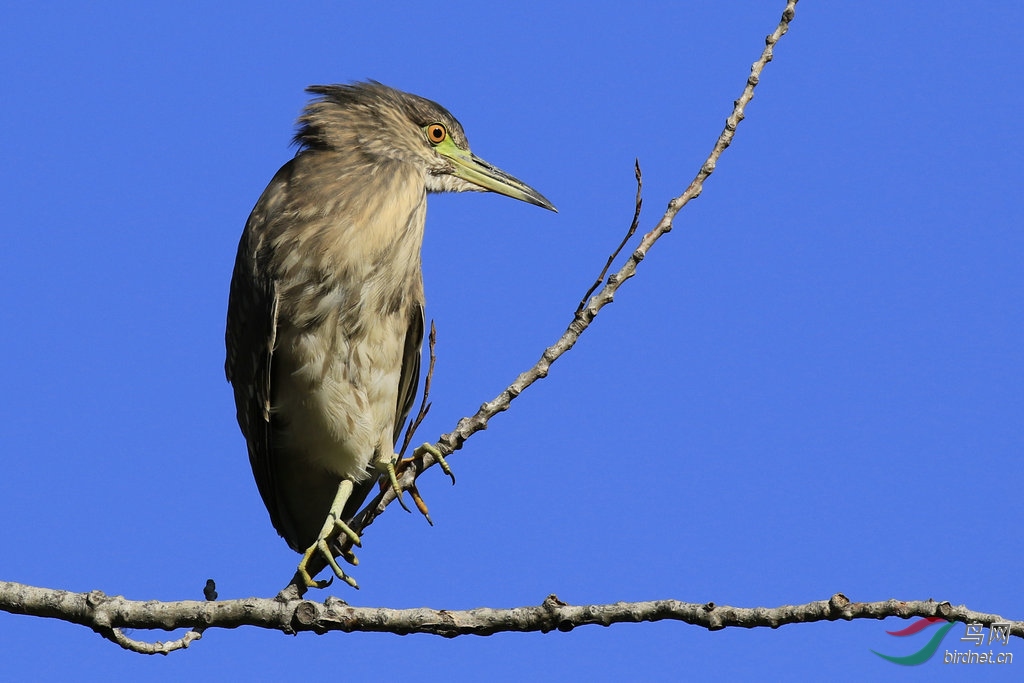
251	335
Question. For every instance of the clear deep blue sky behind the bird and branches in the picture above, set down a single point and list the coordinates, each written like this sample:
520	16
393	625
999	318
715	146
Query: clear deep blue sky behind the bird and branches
814	386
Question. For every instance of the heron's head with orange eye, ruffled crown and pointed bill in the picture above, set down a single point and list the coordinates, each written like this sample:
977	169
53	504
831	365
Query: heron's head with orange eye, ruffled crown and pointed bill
375	122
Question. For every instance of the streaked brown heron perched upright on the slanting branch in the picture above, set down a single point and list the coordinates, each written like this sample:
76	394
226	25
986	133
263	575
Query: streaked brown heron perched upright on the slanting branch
326	309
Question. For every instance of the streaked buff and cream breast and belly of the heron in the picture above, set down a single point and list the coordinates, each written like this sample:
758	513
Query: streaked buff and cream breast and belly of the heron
349	283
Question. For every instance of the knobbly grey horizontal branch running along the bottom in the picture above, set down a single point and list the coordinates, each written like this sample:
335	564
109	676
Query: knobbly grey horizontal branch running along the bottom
106	614
